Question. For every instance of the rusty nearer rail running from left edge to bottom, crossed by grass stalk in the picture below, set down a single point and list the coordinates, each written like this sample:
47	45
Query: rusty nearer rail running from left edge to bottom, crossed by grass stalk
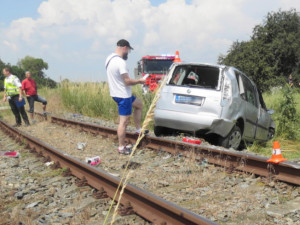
143	203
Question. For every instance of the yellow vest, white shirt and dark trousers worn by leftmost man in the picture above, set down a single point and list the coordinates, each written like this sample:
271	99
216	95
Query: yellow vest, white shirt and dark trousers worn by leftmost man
12	85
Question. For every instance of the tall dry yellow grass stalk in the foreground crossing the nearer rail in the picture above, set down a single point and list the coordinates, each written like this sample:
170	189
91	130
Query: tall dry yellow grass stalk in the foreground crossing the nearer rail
125	175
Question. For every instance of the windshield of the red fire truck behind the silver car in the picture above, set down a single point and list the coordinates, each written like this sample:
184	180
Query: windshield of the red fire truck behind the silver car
156	66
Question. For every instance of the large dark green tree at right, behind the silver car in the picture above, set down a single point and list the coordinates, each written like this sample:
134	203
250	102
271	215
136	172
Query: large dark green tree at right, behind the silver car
272	53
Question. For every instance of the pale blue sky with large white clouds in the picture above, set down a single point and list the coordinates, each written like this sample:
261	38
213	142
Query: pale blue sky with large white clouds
75	36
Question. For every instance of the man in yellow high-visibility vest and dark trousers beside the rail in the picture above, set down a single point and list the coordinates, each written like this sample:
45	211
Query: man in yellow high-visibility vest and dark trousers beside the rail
13	93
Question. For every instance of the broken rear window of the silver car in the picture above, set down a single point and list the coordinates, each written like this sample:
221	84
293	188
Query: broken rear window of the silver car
196	76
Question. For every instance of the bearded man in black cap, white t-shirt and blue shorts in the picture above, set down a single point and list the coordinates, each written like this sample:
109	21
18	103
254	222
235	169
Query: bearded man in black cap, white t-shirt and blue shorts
120	84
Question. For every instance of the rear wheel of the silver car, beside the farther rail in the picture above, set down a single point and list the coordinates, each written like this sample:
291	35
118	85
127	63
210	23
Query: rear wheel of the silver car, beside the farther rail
233	139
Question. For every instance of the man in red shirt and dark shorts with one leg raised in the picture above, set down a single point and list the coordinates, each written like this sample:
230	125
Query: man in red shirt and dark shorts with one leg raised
29	86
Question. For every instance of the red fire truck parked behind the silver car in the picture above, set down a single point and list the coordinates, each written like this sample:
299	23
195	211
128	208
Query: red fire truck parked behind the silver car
156	66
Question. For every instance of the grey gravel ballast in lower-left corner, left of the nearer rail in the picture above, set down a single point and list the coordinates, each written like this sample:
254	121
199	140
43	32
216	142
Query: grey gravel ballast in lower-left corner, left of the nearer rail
32	193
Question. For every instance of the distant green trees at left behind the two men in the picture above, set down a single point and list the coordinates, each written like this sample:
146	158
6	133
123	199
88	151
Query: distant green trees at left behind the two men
34	65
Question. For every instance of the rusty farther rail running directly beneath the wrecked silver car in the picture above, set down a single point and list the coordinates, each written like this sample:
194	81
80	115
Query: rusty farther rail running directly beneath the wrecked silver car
233	160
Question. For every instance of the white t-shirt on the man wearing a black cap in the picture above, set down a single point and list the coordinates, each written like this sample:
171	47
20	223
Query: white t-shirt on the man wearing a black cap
116	67
